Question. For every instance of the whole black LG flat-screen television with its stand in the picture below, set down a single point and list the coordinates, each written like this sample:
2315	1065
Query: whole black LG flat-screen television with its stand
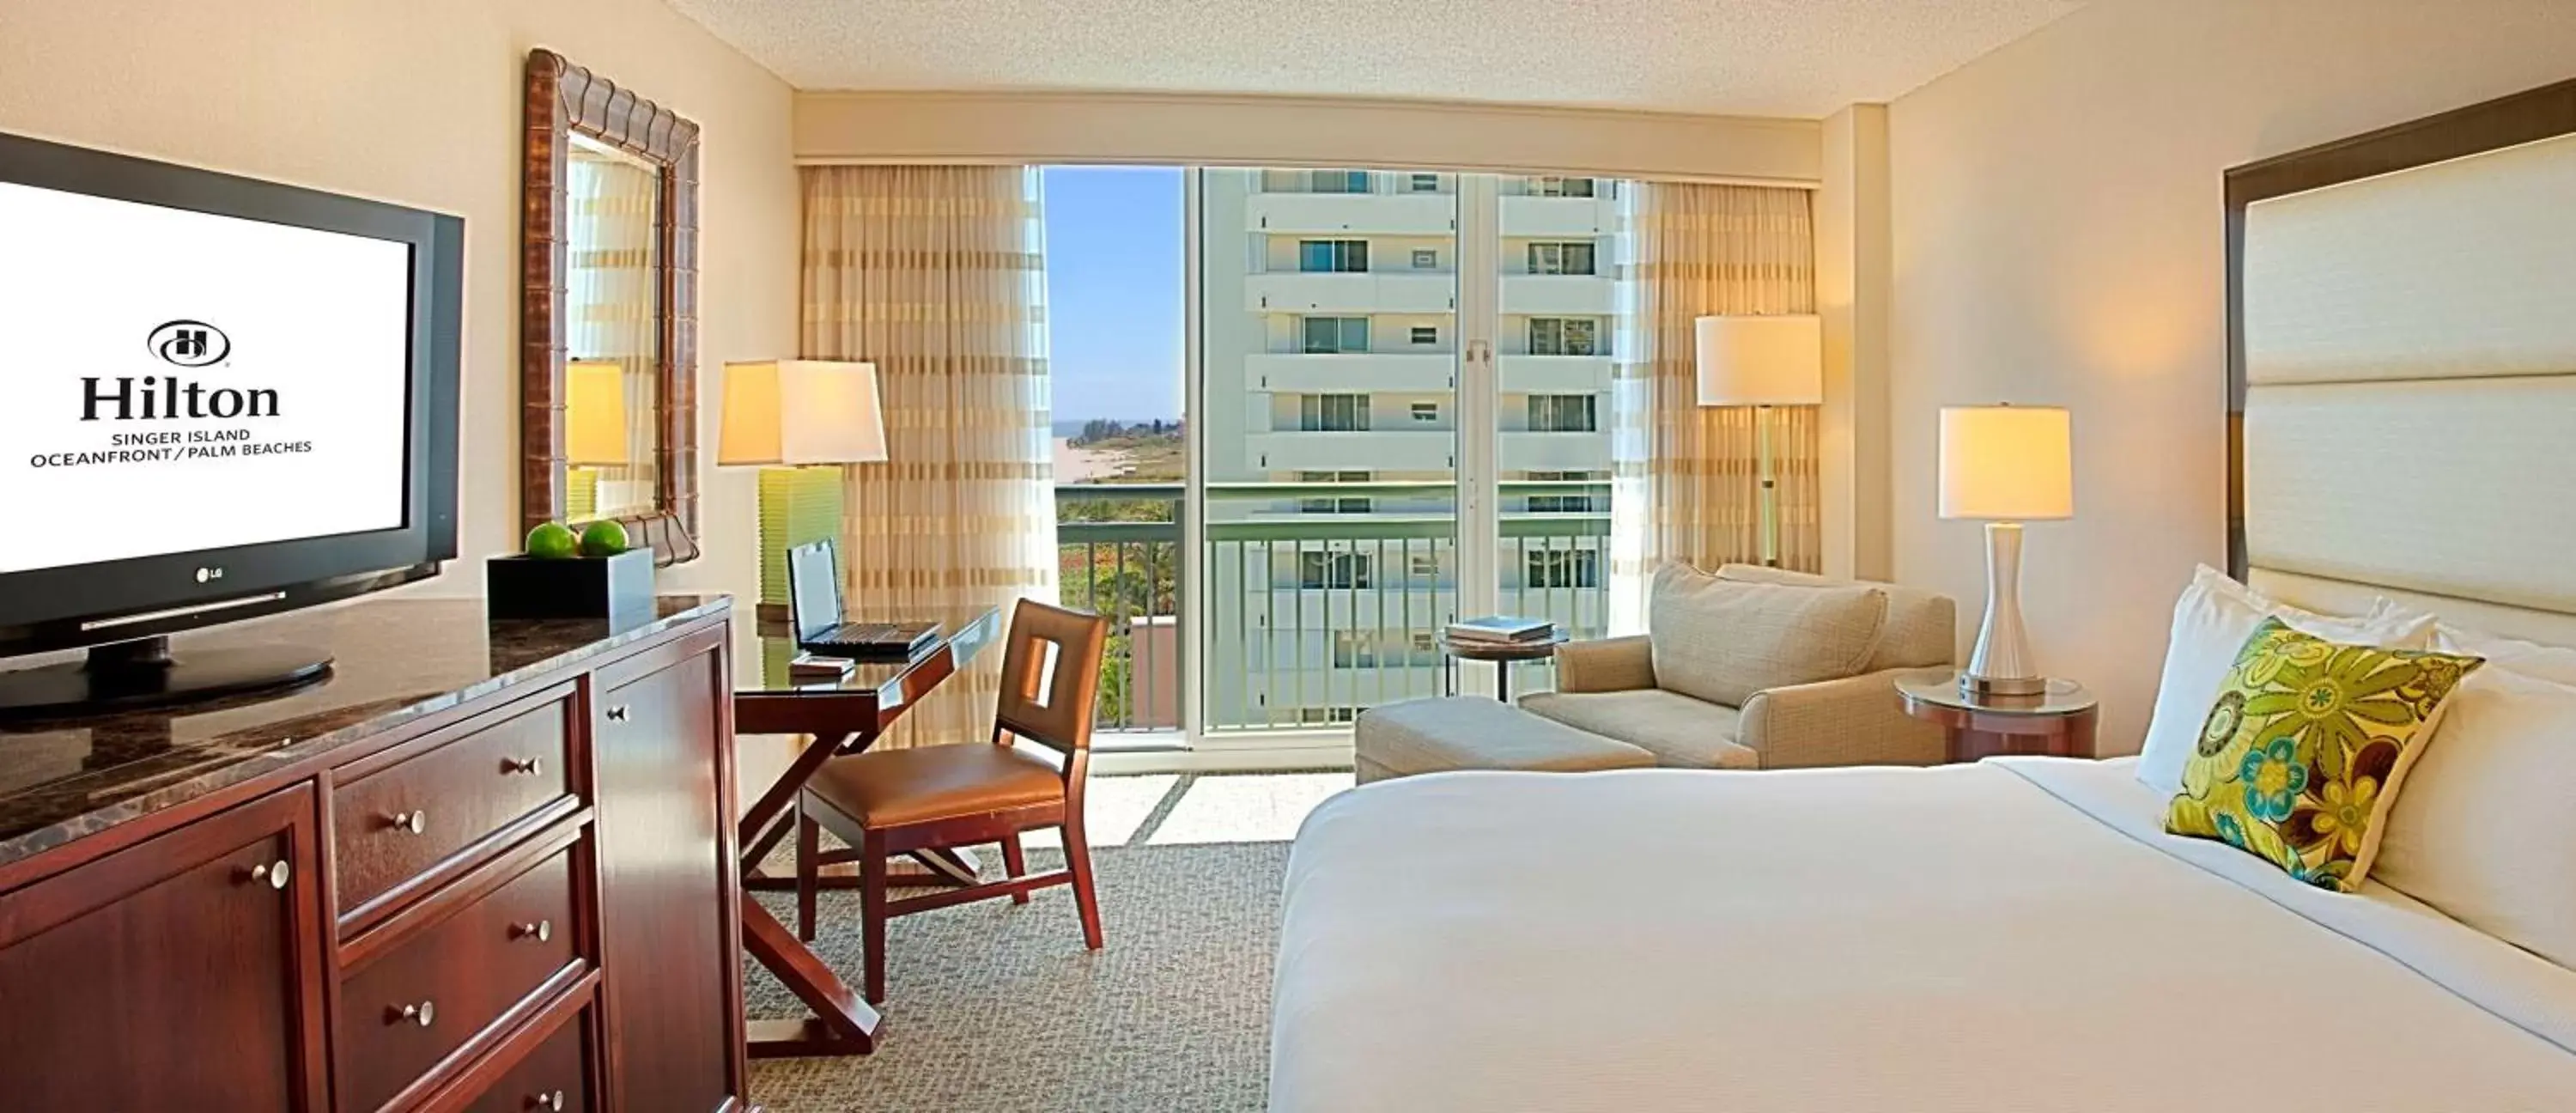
220	398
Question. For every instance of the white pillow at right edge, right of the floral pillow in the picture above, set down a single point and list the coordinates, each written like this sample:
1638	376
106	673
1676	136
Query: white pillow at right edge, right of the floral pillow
2485	828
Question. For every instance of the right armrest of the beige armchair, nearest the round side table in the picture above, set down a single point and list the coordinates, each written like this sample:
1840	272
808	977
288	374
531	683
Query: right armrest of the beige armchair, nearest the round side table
1841	723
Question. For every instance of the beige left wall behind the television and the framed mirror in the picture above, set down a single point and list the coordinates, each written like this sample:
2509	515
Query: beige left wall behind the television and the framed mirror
421	104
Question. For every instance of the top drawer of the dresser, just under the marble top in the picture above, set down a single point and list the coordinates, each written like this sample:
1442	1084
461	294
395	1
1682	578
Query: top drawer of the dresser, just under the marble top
398	823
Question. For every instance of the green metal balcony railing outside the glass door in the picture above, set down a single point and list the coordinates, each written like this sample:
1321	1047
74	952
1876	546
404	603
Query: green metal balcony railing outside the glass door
1312	617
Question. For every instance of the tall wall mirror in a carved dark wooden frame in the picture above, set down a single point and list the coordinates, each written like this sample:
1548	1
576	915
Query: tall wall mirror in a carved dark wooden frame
609	310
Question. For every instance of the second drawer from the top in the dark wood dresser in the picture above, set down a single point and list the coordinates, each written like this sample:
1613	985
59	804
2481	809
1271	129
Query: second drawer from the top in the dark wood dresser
437	991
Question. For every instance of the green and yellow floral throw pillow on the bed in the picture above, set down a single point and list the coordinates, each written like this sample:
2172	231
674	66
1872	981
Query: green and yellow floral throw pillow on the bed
2304	751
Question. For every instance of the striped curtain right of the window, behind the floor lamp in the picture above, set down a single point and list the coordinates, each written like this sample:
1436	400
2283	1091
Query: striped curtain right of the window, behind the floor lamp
1683	480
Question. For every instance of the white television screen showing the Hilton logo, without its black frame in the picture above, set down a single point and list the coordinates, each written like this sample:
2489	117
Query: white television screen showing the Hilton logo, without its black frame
182	380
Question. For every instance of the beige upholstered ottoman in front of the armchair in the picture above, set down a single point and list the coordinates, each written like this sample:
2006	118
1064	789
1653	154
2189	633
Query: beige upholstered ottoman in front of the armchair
1462	733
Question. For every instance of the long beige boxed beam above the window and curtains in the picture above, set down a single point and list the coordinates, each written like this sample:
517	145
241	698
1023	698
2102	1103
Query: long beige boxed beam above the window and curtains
1215	130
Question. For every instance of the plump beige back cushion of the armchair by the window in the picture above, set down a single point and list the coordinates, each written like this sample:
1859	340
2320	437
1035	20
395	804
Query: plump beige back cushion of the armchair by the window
1725	640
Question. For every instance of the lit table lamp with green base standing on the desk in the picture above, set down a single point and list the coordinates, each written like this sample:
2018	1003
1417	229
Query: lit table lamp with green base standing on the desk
790	419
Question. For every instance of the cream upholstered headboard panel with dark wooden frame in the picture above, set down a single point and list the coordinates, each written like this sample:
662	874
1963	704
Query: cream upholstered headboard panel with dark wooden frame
2402	372
